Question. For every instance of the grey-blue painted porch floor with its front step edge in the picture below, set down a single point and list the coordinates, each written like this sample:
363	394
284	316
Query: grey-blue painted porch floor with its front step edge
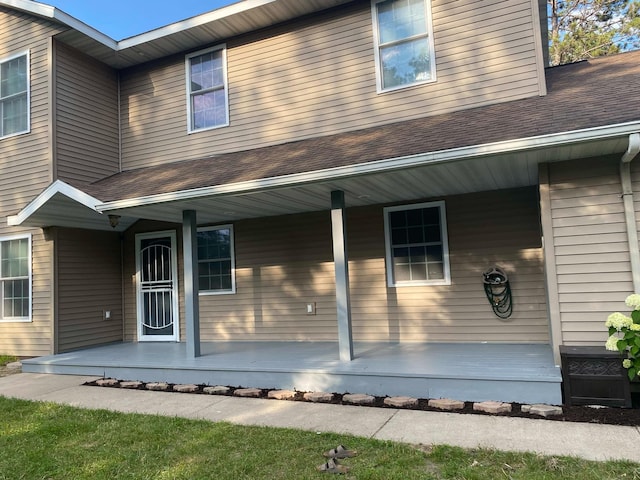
523	373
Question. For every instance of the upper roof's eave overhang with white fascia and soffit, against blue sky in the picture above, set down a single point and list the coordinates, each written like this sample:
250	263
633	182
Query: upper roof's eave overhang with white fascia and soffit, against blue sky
208	28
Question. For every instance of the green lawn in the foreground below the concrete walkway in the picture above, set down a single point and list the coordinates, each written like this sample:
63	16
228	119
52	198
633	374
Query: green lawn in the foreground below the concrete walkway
46	441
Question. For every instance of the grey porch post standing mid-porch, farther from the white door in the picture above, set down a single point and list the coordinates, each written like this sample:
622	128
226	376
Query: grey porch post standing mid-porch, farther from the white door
341	263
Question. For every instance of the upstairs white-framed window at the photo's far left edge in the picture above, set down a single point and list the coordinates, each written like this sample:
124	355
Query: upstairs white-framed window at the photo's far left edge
14	95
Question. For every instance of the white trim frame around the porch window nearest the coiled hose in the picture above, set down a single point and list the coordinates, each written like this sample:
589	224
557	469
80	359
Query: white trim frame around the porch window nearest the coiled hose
445	245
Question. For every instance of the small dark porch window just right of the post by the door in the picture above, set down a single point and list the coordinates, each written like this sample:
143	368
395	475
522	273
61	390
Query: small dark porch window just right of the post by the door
216	263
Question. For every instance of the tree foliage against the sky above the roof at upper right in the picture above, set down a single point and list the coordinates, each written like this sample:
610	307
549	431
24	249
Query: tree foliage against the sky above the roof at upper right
582	29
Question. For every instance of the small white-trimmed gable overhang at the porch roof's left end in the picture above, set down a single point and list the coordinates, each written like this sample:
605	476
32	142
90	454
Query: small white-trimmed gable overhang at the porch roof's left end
62	205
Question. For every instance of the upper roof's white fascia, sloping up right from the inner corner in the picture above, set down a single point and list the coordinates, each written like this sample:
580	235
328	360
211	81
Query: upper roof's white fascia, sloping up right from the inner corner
196	21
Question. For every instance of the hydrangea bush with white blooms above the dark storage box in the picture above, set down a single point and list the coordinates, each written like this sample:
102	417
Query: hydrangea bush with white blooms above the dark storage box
624	335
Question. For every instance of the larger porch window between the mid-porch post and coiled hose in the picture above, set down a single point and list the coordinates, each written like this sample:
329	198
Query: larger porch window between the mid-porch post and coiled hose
416	244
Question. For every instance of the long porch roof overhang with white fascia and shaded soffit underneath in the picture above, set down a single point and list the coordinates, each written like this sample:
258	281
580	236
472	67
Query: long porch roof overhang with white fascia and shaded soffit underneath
491	166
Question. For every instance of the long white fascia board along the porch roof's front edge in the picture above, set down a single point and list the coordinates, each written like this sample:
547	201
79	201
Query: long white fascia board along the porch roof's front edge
380	166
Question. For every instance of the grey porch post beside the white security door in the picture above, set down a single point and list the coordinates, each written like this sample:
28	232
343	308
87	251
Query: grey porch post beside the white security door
191	301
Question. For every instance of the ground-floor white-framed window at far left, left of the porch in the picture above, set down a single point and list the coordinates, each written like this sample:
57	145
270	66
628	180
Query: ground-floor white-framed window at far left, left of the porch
15	276
